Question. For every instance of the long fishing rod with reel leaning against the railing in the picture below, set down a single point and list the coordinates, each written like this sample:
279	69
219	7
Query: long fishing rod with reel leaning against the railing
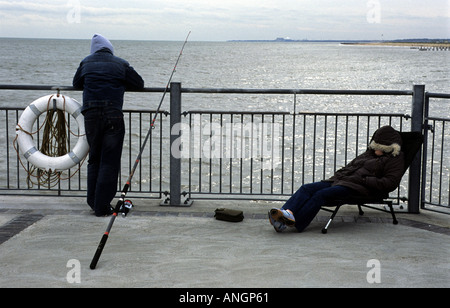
121	202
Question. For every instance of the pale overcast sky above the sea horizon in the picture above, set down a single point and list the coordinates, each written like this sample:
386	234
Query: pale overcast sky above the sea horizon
214	20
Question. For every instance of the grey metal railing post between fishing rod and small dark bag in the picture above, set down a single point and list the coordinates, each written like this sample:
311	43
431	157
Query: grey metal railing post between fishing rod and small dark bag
175	159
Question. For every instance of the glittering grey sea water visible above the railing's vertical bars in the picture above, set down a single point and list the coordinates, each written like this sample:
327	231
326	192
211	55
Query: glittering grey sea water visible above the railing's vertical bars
253	65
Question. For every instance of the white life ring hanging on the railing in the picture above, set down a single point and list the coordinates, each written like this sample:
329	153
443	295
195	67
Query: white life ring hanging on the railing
27	145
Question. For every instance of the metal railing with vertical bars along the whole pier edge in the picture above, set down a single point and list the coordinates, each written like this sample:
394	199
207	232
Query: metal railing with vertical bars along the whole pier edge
256	155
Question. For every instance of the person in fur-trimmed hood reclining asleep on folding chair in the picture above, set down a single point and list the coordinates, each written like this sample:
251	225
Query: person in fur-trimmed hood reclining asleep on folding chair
376	172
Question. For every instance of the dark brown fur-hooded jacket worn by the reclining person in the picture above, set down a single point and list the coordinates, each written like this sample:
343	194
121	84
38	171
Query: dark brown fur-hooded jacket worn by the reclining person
370	174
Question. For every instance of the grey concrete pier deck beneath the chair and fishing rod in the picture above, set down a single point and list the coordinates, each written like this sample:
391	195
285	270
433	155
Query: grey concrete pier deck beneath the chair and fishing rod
50	242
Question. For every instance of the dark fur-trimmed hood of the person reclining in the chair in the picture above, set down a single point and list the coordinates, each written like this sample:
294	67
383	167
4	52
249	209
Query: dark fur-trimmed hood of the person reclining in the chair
387	140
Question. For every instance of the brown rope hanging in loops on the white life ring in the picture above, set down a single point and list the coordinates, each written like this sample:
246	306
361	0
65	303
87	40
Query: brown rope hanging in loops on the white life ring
54	144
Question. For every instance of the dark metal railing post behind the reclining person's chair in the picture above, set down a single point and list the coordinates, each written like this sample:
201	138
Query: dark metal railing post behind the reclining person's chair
415	169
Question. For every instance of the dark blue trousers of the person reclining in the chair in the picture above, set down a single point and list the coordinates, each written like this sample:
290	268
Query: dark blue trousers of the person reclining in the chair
307	201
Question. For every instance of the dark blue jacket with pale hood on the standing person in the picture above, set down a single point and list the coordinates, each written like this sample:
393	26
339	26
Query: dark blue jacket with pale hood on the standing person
104	78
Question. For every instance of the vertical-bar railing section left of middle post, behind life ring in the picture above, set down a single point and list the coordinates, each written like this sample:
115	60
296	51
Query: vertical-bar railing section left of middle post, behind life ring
17	175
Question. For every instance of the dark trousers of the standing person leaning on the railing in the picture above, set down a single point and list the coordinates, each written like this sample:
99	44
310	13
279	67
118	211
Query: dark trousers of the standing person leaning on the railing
105	131
